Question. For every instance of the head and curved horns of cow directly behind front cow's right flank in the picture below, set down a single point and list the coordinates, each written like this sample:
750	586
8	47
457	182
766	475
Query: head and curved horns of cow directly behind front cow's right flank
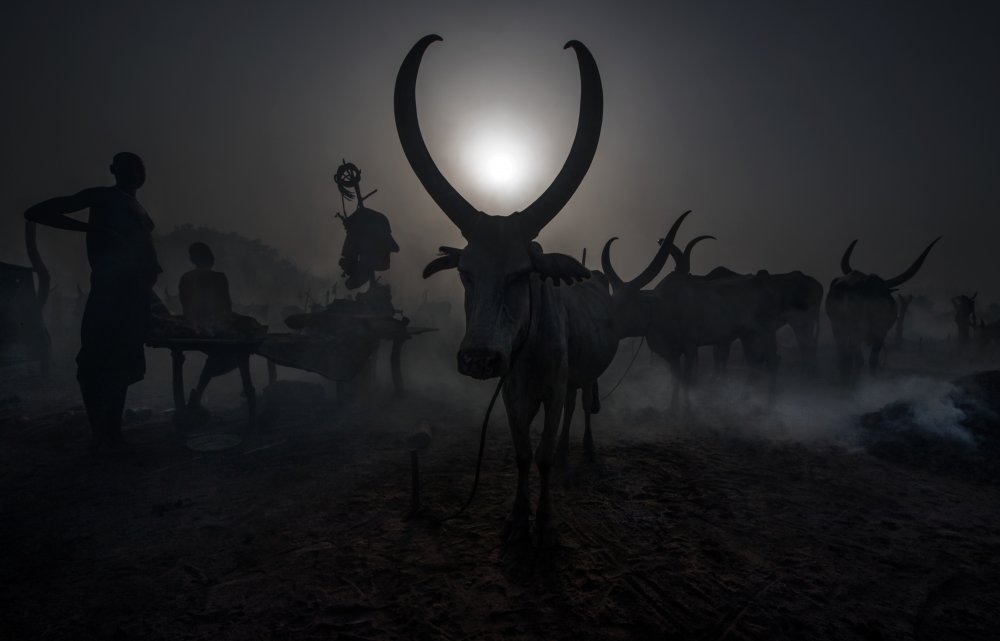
631	312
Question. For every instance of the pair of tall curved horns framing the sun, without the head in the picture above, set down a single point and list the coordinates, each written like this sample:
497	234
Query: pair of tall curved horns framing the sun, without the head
539	213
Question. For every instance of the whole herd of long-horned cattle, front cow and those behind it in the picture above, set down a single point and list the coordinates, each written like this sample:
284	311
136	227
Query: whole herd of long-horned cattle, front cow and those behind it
548	326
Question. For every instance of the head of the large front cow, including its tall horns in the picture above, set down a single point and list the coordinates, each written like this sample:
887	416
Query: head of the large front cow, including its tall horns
497	264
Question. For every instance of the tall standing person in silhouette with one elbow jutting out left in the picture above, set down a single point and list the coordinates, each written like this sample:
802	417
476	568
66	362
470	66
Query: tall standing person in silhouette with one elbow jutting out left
123	270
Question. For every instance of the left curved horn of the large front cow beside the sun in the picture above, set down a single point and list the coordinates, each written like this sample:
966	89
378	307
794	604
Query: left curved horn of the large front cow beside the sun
405	104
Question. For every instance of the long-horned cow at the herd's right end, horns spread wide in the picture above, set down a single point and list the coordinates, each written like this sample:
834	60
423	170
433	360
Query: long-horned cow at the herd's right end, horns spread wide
862	310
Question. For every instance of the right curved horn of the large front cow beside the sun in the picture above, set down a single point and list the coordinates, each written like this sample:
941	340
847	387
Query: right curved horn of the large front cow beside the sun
588	132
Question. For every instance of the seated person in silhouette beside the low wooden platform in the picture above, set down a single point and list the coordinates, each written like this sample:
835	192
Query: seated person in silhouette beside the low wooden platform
206	305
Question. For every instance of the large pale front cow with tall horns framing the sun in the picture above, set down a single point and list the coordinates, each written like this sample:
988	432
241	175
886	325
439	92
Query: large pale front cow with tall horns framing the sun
546	341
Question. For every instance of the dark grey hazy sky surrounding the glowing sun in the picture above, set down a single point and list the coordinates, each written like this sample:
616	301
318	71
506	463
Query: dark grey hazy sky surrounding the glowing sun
789	130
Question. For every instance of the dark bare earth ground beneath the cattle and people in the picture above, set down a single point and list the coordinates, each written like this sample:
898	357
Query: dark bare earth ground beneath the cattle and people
680	531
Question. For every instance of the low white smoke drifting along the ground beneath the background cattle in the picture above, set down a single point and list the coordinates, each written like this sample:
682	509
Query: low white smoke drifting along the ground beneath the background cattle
805	408
